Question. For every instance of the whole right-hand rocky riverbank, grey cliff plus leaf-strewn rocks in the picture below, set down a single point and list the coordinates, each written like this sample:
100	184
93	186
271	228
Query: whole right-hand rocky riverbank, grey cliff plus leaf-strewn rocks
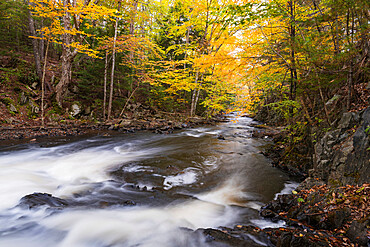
331	207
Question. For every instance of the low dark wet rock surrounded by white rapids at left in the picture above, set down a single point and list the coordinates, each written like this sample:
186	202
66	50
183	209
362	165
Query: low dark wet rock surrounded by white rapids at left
41	199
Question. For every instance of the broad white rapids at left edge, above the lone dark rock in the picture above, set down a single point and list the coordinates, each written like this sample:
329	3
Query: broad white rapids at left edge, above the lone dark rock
49	170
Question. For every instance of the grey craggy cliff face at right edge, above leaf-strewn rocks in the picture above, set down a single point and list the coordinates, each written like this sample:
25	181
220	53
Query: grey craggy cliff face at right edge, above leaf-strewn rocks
343	155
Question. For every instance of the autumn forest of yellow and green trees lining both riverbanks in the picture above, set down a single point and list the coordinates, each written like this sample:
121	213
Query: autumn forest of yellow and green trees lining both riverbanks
296	64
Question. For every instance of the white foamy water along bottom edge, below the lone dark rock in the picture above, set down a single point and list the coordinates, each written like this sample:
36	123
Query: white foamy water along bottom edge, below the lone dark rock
137	226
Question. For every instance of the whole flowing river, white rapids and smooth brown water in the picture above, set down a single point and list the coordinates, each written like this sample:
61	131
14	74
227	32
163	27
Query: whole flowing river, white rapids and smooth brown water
139	189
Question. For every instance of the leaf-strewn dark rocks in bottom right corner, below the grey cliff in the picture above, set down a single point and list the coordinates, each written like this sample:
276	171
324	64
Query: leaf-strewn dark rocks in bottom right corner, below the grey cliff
322	216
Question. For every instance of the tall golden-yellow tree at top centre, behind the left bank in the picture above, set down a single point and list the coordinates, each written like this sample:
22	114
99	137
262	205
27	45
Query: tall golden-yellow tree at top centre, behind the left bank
199	39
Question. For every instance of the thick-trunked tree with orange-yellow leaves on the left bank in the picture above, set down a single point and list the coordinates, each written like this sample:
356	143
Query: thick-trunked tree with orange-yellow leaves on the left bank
70	23
